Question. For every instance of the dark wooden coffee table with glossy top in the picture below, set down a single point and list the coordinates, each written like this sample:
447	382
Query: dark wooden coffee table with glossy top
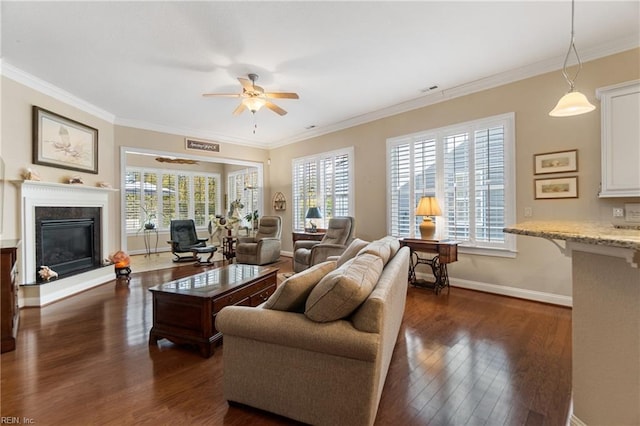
184	310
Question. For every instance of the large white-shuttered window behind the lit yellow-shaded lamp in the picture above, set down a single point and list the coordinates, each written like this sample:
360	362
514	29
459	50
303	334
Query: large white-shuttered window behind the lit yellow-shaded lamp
470	168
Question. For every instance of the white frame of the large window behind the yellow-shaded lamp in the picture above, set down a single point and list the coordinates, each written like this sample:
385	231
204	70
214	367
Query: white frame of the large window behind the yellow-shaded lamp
507	122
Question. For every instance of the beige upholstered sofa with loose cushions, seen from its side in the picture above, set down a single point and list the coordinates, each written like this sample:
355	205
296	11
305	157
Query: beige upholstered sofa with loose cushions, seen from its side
321	371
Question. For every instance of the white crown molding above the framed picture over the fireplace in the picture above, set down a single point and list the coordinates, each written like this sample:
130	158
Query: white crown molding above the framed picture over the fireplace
35	83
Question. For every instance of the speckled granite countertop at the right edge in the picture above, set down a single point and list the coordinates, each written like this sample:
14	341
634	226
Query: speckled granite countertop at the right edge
583	232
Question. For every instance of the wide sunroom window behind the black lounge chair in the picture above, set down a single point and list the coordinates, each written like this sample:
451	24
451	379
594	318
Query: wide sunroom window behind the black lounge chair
169	194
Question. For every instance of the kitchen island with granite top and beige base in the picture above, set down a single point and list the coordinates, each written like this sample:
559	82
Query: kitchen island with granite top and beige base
605	317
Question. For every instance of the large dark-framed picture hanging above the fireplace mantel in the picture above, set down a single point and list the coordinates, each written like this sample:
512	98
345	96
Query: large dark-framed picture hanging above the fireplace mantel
64	143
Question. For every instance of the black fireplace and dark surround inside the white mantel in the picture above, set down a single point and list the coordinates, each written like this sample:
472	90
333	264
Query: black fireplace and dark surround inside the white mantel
68	239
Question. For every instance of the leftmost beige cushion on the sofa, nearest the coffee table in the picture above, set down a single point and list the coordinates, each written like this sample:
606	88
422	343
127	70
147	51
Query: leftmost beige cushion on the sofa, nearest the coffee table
292	294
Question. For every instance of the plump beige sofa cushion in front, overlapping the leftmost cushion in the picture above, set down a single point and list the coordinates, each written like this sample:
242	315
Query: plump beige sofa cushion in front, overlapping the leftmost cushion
341	291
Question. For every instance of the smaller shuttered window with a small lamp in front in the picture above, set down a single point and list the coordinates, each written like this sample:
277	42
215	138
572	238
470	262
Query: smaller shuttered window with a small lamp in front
325	181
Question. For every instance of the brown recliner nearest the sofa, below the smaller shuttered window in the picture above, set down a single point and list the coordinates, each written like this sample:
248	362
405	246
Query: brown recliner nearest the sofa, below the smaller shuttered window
339	234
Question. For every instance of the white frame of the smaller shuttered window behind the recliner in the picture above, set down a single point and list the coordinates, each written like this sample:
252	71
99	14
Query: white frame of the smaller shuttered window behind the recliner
301	204
